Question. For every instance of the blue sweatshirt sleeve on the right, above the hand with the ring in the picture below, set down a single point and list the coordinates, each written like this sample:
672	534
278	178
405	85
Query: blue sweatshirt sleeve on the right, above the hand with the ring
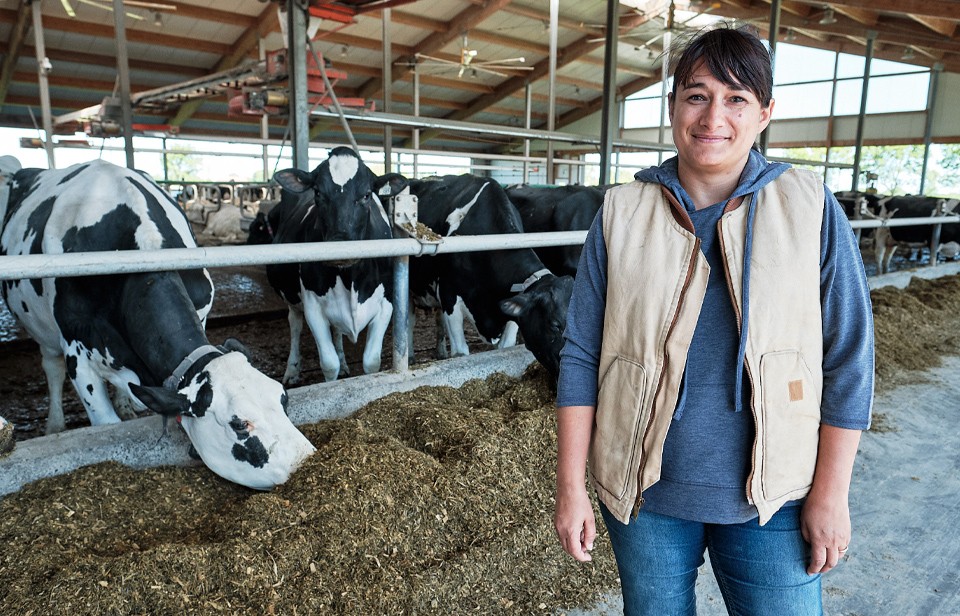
848	335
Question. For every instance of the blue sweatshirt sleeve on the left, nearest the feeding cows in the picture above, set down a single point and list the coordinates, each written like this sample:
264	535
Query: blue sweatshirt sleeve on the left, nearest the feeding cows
580	356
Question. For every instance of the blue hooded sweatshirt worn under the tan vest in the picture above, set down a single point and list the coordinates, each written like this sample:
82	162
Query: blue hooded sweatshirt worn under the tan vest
707	452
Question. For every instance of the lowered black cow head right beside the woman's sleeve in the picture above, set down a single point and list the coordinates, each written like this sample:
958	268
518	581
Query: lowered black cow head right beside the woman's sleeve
541	313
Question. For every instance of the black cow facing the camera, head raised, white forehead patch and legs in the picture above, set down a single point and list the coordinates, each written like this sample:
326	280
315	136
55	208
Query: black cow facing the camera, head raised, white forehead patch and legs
338	201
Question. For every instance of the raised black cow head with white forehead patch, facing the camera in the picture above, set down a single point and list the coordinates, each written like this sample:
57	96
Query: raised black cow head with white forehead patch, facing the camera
346	195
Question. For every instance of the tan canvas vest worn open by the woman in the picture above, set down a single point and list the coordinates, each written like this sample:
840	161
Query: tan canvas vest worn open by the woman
656	281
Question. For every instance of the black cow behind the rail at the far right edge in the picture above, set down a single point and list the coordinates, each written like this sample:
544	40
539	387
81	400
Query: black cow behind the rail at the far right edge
887	239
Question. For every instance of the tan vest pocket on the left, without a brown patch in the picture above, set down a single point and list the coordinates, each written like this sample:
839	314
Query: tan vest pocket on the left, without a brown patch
621	415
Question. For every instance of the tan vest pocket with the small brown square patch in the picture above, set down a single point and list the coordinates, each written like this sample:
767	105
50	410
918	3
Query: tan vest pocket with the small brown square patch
790	424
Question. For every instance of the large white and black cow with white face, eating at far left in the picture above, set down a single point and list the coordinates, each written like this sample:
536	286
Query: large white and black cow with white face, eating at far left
141	333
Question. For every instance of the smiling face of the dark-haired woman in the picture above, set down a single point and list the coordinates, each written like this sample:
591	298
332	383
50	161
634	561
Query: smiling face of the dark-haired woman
715	125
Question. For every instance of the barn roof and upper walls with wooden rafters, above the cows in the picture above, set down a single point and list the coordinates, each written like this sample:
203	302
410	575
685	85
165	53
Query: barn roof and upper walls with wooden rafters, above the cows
502	82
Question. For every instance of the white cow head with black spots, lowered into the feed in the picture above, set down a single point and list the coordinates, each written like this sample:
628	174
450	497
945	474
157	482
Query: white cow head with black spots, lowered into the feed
236	419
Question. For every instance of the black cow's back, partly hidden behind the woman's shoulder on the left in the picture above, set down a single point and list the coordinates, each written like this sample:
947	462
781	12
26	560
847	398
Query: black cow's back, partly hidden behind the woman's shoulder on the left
557	208
